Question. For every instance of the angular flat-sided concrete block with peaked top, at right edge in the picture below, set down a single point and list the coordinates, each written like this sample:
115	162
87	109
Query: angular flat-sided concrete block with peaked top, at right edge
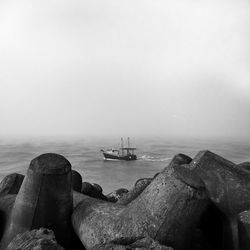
227	185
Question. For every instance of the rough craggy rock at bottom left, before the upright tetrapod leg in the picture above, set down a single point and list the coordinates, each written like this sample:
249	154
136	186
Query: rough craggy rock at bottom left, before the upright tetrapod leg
42	239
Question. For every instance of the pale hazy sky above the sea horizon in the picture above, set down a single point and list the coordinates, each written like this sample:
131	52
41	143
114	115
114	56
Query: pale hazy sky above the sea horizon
95	67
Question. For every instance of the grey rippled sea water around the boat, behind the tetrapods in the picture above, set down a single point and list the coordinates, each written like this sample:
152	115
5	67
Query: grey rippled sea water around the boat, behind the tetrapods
154	154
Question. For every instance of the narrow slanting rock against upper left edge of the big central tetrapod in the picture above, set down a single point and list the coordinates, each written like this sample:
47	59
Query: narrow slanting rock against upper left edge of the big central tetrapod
140	185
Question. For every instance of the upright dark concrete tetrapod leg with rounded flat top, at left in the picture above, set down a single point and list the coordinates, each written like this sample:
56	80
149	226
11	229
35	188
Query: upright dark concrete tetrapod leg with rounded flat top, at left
44	200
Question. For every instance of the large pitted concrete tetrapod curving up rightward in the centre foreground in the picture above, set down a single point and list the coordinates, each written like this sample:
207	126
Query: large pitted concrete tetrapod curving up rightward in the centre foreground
167	211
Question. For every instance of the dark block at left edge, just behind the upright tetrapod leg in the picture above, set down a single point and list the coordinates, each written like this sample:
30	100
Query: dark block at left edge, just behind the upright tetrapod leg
11	184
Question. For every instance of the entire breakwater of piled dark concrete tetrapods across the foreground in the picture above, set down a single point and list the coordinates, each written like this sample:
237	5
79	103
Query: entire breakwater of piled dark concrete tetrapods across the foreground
192	204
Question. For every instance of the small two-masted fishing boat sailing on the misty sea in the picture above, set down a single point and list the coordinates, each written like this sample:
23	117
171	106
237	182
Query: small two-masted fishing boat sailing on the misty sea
124	153
